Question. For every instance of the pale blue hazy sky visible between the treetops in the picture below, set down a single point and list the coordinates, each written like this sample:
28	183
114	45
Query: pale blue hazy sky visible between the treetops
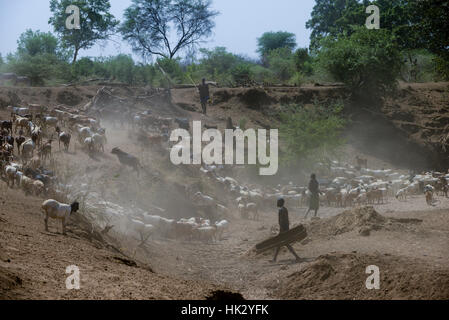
238	25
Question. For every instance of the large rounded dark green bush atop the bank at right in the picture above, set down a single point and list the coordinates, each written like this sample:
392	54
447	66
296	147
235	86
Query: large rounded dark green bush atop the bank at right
368	61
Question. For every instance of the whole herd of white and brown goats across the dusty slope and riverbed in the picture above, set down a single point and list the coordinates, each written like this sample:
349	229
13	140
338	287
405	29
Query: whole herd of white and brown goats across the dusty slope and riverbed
342	185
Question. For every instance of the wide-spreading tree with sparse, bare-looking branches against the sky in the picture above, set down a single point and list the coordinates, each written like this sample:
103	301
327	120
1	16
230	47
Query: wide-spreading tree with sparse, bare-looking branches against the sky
148	23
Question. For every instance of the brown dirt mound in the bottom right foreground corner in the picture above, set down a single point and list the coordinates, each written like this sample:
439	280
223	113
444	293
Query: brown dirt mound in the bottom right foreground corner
343	276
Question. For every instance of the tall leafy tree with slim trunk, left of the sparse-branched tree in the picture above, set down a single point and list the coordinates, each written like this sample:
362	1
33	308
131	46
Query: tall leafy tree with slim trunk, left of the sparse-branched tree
96	23
